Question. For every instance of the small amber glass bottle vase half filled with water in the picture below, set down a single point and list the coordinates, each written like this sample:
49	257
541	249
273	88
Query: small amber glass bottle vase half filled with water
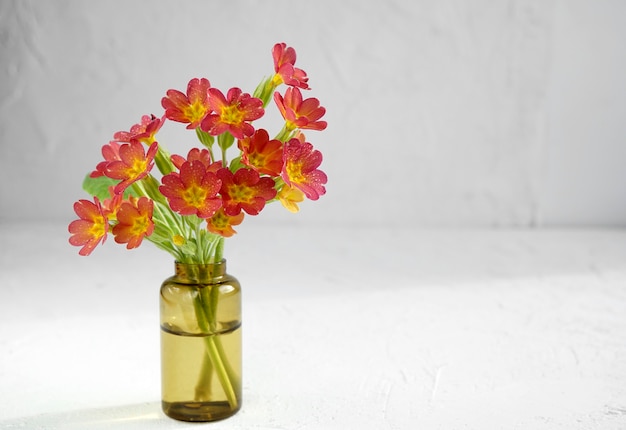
201	343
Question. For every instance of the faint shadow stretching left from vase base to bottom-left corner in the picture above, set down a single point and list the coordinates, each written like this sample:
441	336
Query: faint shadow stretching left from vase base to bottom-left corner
139	416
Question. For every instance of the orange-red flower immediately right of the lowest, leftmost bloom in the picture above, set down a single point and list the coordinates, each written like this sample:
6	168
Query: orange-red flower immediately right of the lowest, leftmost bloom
134	221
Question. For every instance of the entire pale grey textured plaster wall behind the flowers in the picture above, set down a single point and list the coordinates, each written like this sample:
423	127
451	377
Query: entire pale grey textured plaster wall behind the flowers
441	113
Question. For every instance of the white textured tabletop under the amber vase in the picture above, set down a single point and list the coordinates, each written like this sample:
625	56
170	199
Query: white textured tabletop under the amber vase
343	329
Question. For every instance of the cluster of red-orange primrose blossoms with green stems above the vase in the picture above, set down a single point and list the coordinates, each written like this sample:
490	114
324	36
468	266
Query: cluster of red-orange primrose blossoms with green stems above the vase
199	188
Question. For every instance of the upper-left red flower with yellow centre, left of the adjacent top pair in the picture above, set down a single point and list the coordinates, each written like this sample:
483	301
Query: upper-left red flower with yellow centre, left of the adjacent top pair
190	108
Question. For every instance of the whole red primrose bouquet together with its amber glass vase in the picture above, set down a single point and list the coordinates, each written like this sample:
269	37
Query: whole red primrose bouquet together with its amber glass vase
195	201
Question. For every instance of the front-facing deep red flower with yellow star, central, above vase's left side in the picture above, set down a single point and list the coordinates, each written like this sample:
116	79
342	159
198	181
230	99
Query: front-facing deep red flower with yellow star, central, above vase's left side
193	190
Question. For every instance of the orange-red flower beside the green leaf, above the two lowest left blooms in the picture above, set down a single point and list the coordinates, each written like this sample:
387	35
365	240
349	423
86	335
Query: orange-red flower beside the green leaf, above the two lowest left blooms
134	164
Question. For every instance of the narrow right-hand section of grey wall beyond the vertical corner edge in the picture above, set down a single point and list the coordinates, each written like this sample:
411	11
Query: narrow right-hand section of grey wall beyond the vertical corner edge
585	153
